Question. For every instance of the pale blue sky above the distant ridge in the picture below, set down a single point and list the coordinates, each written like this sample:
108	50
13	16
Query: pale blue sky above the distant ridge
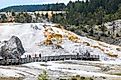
6	3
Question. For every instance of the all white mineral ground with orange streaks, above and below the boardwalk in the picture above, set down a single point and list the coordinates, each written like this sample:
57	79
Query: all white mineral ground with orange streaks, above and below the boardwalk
50	40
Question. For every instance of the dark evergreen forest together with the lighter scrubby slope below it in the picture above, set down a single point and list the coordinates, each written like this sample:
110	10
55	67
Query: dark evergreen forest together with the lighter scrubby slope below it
81	17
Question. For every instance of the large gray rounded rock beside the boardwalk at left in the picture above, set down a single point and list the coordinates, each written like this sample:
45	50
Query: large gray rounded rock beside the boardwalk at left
12	48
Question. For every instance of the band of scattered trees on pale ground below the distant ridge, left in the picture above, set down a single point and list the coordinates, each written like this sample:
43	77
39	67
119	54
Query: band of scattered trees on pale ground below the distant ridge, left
24	17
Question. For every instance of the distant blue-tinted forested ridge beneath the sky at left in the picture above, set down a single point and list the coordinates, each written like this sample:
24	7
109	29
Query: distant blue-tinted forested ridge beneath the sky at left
32	8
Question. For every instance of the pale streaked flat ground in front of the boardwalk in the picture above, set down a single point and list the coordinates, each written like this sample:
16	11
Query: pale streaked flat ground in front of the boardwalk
64	69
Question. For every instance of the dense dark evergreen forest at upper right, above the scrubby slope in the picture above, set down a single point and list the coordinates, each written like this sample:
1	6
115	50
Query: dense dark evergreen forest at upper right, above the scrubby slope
90	12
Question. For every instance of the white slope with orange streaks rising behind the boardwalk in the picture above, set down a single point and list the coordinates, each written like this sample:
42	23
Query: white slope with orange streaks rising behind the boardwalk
62	42
